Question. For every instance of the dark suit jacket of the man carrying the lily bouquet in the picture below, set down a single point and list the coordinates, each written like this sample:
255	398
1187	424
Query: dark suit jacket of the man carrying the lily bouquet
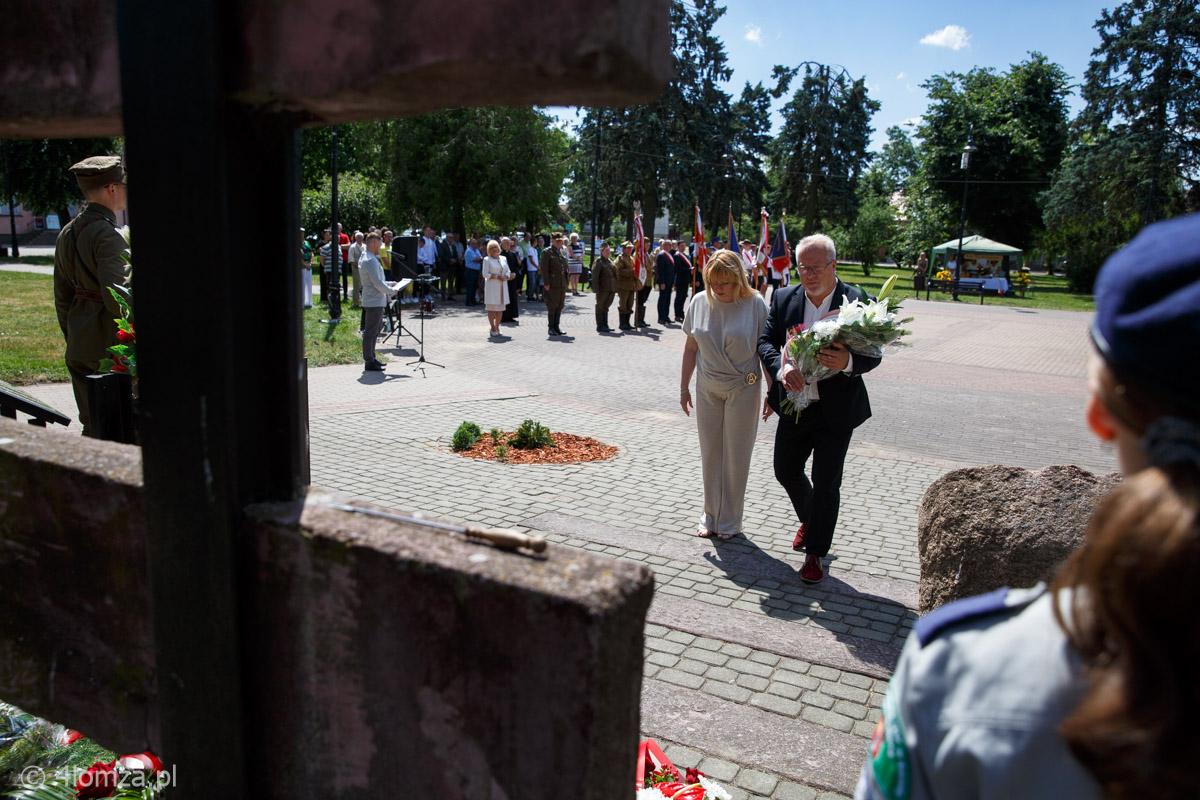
843	396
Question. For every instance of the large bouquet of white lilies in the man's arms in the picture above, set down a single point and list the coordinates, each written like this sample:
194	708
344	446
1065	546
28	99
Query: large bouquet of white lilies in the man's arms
863	328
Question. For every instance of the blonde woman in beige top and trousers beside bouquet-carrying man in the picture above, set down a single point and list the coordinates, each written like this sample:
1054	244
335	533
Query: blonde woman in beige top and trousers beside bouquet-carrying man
723	328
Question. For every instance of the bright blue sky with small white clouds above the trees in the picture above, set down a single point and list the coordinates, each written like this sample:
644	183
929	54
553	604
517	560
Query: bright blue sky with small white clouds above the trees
897	46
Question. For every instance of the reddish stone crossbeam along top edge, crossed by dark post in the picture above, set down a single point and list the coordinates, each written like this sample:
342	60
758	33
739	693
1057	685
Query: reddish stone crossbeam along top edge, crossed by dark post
331	62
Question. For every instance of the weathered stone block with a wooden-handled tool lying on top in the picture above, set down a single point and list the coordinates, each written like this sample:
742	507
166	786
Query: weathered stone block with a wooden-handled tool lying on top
403	659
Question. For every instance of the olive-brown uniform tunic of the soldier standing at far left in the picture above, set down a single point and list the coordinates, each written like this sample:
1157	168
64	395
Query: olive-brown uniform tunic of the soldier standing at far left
87	262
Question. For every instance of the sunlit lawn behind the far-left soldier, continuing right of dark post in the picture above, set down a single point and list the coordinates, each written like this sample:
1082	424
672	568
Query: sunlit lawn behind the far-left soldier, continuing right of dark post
32	345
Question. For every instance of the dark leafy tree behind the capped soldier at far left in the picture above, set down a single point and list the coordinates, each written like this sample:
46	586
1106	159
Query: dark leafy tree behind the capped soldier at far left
39	171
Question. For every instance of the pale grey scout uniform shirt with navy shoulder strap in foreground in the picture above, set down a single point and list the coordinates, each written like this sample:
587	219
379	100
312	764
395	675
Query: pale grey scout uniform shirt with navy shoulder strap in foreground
974	708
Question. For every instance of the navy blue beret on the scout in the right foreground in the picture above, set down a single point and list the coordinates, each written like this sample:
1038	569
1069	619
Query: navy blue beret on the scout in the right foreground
1148	309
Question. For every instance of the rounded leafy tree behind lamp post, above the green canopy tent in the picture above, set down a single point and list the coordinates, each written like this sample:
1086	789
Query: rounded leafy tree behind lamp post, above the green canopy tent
1018	123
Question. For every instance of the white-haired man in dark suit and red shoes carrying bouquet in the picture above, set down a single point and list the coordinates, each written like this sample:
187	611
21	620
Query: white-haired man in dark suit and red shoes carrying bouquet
839	404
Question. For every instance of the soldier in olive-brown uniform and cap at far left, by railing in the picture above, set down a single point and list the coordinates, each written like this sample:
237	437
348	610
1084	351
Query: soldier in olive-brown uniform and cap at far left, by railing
87	262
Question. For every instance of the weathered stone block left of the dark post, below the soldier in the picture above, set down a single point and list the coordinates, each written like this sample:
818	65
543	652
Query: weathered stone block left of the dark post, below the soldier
76	629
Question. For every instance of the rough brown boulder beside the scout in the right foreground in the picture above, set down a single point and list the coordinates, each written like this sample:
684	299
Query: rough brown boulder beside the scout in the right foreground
989	527
